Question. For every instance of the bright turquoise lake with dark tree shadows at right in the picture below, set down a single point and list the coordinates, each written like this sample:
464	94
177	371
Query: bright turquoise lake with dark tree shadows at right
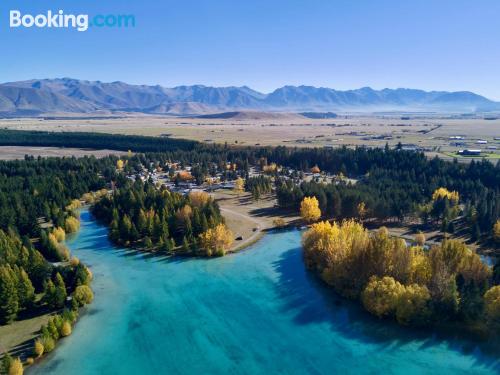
256	312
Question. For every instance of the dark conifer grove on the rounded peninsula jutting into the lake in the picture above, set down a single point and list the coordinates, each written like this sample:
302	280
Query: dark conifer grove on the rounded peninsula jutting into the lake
141	216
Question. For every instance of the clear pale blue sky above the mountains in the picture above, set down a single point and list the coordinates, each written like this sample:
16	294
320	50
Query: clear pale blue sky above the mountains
265	44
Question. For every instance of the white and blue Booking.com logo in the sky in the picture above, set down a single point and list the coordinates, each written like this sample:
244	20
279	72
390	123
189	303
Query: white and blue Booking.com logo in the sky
80	22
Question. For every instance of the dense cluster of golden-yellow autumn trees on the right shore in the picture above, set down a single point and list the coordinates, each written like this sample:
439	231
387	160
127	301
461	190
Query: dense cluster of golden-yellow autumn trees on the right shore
448	283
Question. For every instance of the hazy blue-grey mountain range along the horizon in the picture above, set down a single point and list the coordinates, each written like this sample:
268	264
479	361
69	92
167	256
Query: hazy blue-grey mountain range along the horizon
73	96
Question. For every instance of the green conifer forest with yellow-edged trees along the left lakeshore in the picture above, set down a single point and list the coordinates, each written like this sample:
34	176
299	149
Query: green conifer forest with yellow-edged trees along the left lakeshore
39	199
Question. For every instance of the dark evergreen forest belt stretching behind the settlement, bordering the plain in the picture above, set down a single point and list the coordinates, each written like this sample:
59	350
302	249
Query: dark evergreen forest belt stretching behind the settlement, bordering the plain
392	183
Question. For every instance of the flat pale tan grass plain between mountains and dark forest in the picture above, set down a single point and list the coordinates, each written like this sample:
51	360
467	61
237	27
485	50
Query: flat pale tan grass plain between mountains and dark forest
432	134
